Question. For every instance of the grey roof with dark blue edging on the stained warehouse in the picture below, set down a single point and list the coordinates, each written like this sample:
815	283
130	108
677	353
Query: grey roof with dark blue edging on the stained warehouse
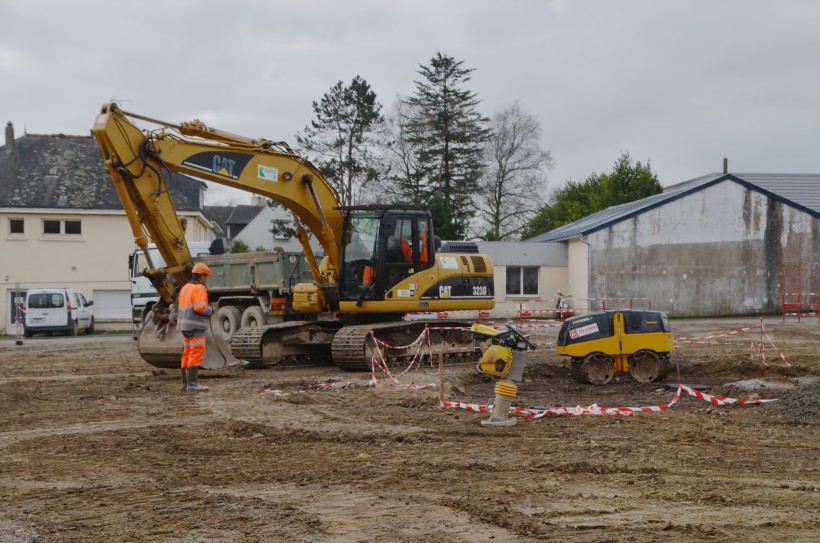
797	190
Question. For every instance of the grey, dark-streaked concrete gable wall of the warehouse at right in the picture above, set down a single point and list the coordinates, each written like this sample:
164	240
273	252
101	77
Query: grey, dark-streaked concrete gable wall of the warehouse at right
724	250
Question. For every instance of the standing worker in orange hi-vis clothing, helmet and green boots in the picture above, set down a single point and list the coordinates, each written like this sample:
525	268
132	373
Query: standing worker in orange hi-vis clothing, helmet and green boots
193	319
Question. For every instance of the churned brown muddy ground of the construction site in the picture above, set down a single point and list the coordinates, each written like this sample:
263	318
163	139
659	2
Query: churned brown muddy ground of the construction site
98	446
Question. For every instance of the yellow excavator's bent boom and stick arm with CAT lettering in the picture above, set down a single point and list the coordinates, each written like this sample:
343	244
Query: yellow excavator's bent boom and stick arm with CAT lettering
140	162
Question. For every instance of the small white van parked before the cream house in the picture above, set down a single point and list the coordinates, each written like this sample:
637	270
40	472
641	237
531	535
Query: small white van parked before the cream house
58	310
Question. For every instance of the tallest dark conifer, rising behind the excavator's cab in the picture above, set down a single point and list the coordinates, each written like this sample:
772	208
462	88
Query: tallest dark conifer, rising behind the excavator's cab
447	134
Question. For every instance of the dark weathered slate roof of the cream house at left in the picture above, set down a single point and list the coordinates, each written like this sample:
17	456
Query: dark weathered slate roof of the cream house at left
67	172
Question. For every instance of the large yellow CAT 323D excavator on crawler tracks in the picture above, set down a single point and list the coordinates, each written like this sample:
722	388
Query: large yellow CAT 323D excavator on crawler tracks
380	262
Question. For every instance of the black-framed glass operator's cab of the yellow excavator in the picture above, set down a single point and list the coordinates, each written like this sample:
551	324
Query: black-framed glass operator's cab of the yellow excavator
382	247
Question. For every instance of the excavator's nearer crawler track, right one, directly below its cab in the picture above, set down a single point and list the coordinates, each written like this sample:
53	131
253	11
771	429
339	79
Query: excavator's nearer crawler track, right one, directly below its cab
354	348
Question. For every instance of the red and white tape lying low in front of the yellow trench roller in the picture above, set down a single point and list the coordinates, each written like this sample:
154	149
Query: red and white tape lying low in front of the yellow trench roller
594	409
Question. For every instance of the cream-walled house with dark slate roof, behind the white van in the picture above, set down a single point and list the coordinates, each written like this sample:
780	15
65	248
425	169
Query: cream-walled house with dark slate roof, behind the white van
62	224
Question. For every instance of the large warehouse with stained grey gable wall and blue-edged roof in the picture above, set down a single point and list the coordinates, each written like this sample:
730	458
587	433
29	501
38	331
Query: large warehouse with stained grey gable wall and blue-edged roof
719	245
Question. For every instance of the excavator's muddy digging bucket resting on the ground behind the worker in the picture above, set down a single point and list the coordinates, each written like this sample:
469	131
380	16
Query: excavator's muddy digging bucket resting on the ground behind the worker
160	345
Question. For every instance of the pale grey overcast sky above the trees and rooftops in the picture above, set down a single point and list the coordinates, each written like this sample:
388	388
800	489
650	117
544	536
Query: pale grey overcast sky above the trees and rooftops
681	84
